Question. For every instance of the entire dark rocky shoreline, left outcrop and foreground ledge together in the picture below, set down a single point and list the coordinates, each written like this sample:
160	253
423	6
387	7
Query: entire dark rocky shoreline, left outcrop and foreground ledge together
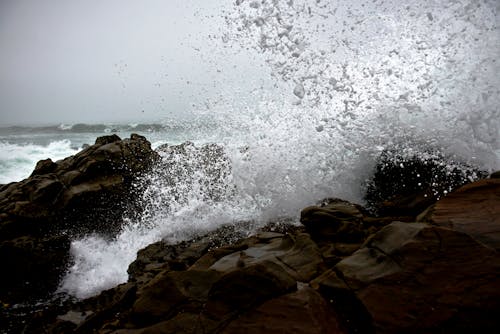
420	265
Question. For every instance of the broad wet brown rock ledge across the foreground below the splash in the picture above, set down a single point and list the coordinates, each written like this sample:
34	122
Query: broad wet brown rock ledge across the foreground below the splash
343	270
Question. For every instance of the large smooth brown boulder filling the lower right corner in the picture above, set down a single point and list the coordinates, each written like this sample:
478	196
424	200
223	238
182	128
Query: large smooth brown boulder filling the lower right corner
422	278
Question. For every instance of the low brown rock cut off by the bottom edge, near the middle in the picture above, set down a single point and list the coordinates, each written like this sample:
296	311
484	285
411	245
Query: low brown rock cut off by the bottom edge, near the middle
303	311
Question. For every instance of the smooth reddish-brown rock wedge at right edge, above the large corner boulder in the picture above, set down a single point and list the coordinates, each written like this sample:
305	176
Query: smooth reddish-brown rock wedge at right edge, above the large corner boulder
473	209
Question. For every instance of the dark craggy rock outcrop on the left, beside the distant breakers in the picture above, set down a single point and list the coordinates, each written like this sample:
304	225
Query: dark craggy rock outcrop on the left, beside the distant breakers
86	193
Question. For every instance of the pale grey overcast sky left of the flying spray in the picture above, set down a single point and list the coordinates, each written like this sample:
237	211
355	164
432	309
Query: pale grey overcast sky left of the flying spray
115	60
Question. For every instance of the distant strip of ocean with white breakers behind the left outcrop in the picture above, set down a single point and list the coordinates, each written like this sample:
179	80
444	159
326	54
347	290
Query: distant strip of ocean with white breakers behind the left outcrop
21	147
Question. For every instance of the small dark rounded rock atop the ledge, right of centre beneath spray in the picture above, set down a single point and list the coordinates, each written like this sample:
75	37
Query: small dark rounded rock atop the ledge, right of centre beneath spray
336	221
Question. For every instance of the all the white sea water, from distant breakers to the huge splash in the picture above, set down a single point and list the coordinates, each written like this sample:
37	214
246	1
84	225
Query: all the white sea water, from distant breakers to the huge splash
352	80
